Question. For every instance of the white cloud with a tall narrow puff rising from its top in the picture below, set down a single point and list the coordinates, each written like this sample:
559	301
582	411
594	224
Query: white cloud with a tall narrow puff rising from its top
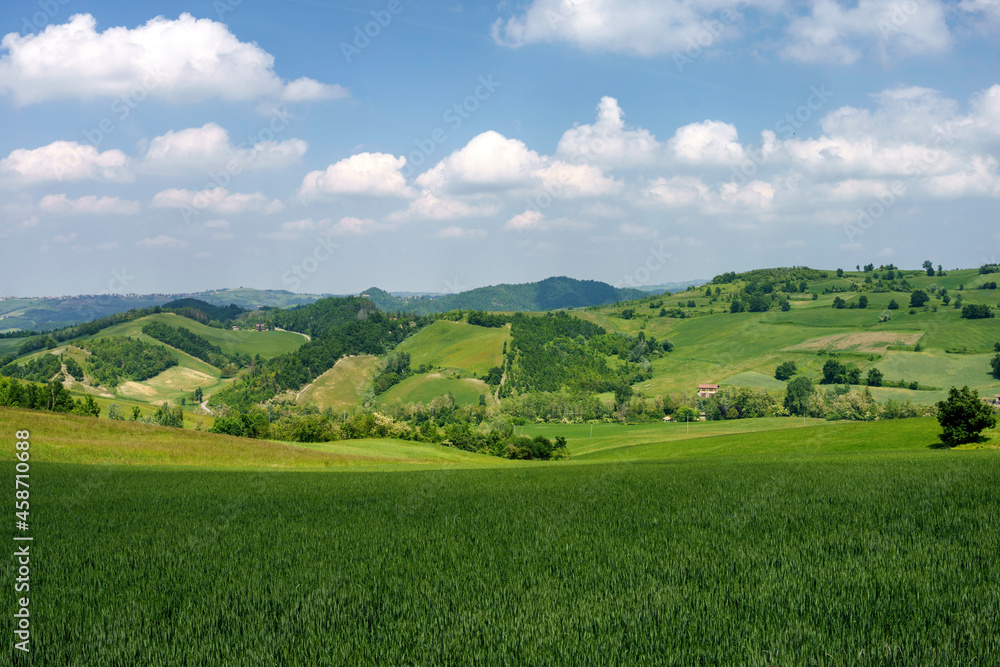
608	142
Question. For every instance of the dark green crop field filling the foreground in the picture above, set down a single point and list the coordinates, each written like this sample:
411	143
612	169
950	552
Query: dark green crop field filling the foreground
836	559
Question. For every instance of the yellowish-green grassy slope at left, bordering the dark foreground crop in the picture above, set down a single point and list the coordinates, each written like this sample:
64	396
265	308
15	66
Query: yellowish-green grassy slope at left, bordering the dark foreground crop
70	439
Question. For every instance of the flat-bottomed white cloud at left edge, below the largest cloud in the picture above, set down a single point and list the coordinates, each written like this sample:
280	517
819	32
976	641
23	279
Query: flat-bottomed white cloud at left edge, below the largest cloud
67	161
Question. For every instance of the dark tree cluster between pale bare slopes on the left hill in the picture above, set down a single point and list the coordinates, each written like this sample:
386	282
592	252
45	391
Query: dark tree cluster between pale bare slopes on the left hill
116	359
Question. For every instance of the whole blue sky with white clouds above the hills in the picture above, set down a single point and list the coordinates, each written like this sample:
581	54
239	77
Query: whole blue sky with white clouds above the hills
167	147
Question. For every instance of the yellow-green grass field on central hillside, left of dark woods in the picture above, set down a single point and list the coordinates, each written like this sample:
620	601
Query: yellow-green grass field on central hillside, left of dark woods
456	346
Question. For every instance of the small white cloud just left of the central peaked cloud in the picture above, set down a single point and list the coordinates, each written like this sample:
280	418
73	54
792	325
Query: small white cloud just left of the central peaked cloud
370	174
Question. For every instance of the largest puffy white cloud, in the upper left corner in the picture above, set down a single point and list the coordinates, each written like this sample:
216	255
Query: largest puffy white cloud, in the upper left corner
186	59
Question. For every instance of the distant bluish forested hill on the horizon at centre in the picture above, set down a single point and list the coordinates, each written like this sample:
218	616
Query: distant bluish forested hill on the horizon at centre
548	294
